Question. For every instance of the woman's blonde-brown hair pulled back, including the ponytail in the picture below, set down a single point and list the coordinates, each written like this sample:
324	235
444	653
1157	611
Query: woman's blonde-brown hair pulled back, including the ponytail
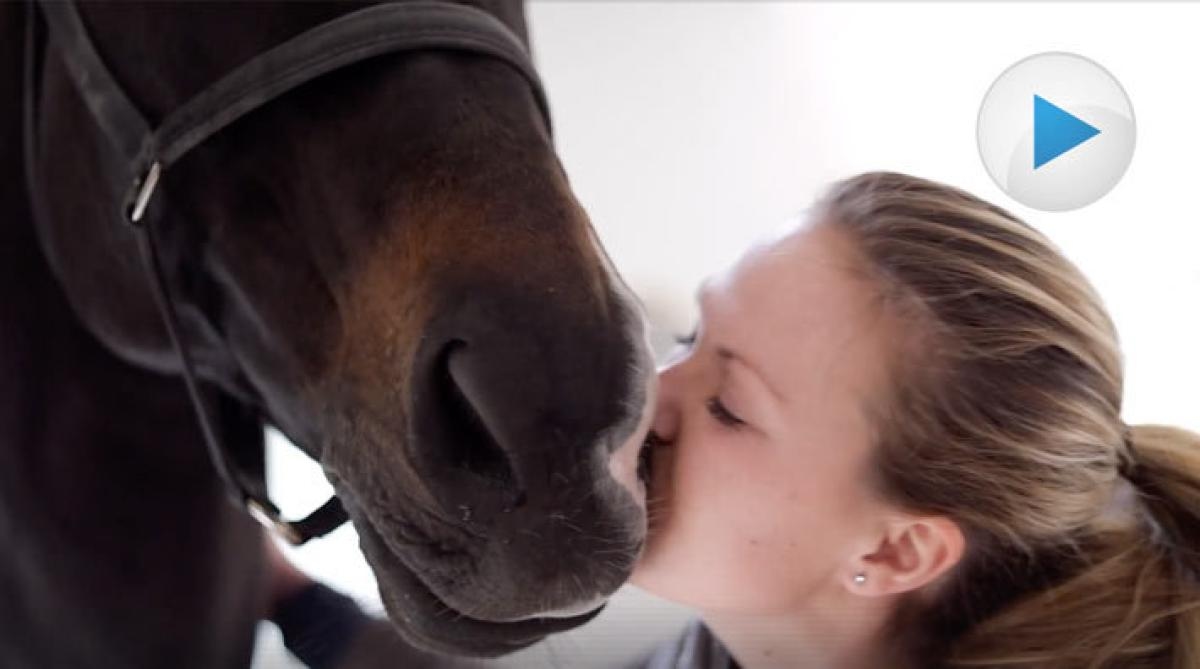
1004	414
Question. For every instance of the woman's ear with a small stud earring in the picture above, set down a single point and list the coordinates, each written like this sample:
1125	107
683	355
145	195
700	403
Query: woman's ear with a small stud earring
913	553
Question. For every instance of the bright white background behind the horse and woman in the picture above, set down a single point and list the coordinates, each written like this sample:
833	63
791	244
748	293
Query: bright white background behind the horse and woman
689	129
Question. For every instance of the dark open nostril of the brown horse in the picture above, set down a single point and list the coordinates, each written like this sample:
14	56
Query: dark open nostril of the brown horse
472	444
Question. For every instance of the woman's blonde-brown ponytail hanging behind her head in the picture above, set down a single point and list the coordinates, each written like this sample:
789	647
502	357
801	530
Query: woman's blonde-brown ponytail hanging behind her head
1132	599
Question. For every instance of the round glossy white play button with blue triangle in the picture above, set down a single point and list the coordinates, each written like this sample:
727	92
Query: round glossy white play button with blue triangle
1057	132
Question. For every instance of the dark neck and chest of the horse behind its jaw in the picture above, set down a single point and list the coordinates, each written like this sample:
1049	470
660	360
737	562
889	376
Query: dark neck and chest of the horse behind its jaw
98	459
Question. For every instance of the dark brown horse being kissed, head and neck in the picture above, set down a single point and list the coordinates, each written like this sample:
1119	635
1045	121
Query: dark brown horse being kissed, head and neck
386	263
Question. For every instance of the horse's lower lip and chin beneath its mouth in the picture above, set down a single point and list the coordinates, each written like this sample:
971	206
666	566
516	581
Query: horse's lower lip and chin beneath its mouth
429	623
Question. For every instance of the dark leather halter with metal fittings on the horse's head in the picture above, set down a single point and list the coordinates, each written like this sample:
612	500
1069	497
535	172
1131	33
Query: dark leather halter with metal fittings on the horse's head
143	152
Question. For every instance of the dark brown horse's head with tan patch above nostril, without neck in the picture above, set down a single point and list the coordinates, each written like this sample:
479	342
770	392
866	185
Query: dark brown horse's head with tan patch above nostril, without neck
388	266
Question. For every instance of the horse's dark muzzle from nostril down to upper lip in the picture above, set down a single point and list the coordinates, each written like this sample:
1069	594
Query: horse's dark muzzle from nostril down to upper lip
526	417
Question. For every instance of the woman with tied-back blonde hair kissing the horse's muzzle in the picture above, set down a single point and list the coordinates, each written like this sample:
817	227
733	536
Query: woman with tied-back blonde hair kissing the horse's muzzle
896	441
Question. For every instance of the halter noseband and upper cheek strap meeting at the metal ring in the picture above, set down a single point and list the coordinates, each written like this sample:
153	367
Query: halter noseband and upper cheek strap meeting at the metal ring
347	40
